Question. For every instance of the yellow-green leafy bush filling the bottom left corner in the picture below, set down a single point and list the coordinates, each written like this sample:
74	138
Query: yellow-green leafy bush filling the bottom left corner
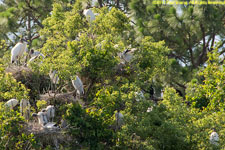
12	135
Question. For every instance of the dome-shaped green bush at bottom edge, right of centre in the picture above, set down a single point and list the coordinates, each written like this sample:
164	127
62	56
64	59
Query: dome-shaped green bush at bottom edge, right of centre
150	130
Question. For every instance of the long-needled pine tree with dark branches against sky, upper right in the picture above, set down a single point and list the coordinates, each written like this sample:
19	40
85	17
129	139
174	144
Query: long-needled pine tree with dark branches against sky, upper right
189	33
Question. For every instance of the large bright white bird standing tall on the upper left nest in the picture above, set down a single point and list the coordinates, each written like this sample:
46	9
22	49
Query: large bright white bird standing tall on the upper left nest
18	50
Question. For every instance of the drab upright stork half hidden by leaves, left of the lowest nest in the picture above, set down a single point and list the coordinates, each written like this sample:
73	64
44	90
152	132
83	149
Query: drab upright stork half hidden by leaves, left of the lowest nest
25	108
